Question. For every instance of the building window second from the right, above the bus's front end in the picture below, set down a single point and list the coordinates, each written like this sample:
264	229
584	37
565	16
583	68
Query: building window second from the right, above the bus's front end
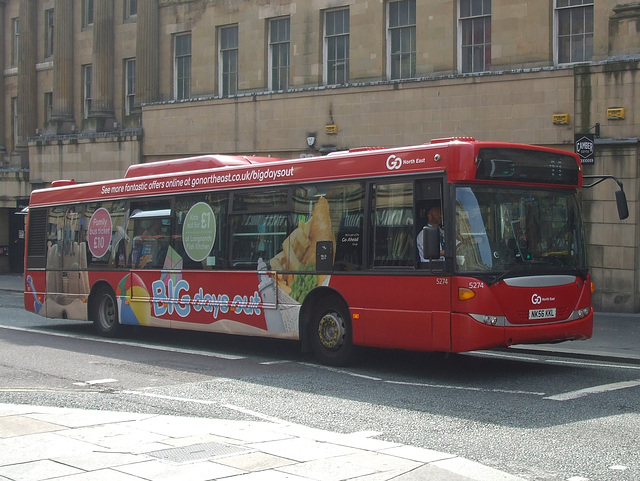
475	35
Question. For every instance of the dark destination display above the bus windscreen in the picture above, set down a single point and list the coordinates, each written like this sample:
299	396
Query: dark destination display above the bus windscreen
523	165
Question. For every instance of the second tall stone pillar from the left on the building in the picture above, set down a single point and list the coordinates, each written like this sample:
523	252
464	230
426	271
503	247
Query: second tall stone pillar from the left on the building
62	115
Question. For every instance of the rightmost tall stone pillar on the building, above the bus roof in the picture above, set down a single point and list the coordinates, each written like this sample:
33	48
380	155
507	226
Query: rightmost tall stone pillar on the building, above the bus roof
147	51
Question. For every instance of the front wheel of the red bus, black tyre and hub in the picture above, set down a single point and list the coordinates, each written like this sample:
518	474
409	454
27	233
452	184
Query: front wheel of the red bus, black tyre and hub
330	333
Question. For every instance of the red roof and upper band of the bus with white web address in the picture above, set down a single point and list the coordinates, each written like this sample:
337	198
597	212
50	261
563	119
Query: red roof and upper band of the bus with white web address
456	156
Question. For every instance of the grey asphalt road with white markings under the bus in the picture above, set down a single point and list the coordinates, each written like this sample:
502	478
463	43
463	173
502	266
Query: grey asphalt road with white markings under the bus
536	416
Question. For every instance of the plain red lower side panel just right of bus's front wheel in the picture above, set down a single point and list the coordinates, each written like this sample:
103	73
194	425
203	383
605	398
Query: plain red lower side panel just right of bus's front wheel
398	311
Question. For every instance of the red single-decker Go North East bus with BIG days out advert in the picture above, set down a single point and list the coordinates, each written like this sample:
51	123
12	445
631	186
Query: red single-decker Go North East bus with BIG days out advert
324	249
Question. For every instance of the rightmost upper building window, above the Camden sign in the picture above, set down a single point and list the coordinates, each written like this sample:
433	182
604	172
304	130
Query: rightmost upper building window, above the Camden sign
574	23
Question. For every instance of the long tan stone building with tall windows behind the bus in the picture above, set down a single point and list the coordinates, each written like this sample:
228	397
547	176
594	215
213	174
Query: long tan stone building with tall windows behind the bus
93	86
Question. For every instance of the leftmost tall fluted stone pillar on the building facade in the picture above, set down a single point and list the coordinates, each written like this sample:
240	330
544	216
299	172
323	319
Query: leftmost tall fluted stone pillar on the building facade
27	86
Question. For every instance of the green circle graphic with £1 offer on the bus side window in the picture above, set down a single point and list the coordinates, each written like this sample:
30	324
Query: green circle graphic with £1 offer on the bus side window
199	231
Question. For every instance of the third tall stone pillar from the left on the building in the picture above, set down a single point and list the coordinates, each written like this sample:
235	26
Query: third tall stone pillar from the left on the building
102	115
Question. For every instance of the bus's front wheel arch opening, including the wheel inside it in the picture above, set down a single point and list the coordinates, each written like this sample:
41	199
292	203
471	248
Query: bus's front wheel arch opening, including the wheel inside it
326	328
